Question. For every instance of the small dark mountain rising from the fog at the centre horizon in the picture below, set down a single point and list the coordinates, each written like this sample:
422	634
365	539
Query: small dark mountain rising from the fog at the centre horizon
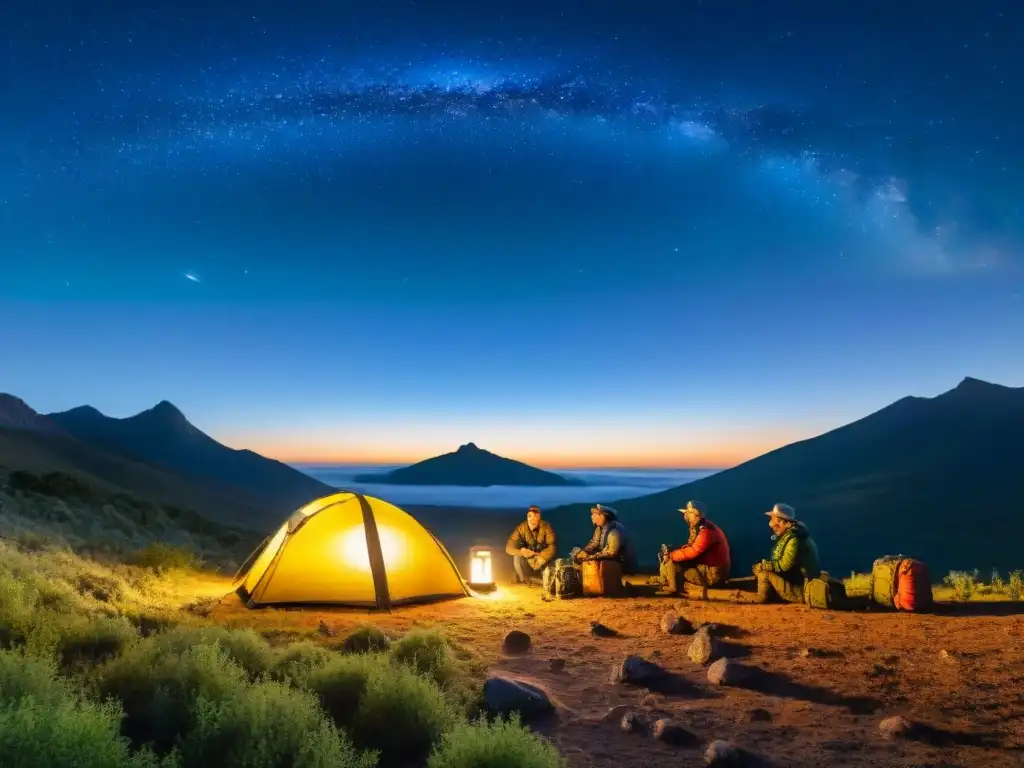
468	466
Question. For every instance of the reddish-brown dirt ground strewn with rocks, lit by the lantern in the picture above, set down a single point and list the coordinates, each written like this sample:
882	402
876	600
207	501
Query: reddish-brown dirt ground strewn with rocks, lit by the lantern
826	679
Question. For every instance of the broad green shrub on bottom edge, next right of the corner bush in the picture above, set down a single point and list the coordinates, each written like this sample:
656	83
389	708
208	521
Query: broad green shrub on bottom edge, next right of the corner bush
269	726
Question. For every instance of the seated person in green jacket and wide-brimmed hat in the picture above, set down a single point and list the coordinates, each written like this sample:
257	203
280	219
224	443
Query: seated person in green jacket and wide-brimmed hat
794	560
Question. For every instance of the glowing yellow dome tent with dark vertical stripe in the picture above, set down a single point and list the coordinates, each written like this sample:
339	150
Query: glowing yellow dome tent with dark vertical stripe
350	549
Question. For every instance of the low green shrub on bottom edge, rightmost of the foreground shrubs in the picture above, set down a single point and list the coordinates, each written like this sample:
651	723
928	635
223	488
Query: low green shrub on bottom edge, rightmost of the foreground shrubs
495	745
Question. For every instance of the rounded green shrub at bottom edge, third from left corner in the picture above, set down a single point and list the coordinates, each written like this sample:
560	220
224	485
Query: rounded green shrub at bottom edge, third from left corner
401	714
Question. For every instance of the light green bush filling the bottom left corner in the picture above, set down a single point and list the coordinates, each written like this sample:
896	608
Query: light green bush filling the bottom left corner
45	722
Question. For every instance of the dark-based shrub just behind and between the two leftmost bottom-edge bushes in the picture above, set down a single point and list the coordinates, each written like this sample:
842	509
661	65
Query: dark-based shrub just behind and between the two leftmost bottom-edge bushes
158	689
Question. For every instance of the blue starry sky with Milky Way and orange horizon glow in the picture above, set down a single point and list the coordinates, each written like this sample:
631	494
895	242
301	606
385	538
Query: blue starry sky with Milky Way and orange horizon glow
581	234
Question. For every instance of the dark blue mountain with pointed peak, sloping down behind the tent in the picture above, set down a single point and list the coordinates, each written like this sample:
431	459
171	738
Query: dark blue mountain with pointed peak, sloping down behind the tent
162	436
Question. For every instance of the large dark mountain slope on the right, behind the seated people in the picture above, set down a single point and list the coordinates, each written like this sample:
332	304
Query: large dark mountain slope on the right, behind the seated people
940	479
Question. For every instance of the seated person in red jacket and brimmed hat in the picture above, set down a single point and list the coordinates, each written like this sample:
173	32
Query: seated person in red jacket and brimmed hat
704	561
